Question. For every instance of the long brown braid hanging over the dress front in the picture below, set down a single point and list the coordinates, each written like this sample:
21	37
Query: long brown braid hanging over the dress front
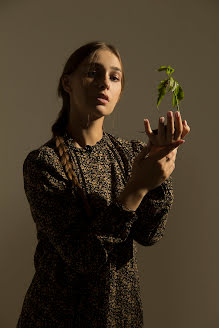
68	166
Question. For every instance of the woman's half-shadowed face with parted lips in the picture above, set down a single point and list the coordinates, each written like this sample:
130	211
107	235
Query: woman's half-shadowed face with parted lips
103	75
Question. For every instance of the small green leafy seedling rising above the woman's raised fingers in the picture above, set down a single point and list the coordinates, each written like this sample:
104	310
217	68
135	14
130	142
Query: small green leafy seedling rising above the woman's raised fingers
174	86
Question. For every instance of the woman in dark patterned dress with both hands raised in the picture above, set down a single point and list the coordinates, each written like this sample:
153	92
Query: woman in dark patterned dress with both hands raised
93	196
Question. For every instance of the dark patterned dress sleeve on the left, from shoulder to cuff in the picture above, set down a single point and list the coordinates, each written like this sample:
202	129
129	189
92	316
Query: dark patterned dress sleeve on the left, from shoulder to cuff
55	210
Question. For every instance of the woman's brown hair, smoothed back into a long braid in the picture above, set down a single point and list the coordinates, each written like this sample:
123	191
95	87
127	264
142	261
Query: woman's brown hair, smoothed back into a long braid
89	51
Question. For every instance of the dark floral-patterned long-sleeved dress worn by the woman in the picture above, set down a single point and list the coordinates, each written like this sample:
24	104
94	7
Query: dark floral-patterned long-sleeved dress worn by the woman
86	272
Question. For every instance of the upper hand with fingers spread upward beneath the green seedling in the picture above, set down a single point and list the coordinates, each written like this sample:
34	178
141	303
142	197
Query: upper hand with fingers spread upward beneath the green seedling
167	134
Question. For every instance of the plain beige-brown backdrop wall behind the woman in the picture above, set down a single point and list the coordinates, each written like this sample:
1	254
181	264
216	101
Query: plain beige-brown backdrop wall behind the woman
178	275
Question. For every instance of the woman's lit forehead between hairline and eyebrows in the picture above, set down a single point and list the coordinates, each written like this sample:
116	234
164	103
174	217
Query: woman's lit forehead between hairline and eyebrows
104	58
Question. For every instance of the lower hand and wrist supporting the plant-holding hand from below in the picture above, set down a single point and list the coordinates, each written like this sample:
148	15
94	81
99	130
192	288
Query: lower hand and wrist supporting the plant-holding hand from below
149	173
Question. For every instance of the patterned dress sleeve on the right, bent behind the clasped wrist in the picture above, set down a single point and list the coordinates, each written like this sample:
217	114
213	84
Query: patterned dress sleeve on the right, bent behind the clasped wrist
153	211
